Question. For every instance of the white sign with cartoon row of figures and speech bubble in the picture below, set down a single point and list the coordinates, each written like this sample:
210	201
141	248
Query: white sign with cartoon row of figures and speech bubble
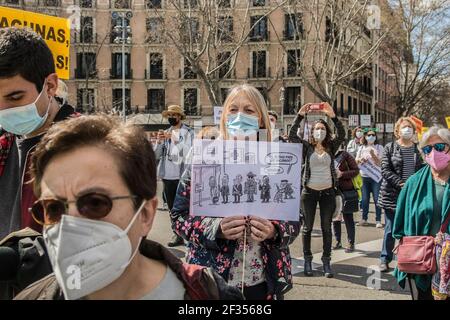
246	178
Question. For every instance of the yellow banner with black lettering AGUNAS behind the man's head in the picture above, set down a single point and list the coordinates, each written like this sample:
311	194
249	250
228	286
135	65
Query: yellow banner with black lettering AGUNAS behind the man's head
55	31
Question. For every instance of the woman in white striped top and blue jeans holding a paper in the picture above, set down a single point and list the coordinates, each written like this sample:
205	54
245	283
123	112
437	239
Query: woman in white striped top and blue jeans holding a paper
368	158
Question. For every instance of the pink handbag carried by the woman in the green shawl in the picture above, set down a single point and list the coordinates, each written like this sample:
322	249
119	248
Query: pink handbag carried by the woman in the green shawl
416	254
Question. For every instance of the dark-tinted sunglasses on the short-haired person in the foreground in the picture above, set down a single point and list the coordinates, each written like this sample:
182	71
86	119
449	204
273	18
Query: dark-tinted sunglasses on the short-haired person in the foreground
90	205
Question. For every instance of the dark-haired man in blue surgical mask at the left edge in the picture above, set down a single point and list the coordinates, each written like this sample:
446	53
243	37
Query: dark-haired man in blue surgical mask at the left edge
28	108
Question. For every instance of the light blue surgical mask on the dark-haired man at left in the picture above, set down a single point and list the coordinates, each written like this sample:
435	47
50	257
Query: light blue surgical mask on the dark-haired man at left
25	119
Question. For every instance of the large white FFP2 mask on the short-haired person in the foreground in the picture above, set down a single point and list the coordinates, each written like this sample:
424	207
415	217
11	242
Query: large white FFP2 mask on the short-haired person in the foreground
87	255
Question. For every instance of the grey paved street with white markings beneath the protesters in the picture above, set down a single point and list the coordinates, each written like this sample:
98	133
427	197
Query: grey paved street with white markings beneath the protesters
355	278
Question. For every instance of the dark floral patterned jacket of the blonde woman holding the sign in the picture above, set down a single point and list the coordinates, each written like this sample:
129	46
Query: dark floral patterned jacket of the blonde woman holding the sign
205	249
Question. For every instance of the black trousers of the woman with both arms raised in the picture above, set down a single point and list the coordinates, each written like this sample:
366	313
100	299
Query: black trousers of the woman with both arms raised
327	203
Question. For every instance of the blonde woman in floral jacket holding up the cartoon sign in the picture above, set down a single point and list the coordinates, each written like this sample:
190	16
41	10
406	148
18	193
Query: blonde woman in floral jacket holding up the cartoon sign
249	252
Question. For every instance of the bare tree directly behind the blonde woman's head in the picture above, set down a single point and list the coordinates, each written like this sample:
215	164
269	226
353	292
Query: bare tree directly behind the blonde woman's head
208	35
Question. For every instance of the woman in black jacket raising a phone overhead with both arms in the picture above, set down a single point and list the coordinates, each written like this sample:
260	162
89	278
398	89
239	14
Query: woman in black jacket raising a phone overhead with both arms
319	180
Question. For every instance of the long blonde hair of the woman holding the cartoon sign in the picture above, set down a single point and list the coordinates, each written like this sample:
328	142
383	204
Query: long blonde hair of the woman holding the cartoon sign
258	101
